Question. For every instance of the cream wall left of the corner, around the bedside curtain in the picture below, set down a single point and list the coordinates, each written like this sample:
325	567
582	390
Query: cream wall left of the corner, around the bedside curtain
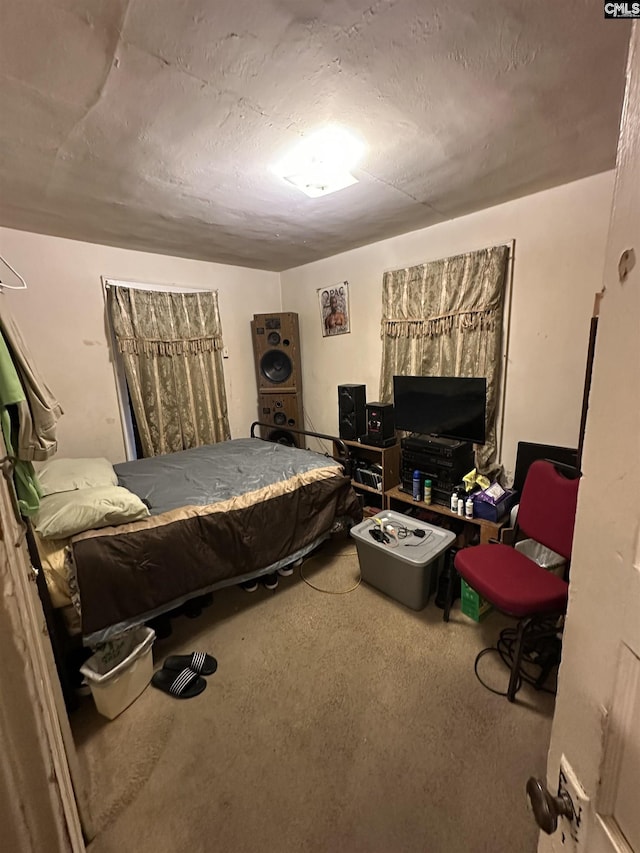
62	317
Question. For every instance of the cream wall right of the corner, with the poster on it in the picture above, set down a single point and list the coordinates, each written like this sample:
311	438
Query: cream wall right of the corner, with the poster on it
560	239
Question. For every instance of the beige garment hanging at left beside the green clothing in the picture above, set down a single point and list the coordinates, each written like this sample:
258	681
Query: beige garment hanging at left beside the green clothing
38	411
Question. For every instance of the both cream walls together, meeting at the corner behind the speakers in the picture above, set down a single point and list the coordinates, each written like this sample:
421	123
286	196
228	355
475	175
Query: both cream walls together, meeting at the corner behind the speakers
560	239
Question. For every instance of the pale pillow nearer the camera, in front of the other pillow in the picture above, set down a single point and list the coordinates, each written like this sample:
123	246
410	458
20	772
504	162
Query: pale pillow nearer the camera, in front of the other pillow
67	513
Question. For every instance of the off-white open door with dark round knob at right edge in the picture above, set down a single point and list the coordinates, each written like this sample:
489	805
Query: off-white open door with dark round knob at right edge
597	721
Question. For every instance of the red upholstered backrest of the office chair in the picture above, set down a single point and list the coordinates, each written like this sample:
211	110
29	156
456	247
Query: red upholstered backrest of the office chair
547	508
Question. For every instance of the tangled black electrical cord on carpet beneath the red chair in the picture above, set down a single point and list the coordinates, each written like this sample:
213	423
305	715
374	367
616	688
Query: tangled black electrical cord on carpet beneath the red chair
542	647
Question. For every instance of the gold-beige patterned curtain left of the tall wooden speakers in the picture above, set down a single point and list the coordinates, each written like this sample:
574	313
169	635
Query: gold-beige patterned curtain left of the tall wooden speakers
171	346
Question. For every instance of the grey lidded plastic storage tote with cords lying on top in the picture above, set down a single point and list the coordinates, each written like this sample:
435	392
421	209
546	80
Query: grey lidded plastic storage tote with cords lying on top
409	572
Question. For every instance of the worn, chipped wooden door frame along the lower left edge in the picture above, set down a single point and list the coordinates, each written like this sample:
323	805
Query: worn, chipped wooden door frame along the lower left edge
38	807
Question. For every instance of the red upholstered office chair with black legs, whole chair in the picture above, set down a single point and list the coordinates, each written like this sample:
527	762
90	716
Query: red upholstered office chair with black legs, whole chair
513	583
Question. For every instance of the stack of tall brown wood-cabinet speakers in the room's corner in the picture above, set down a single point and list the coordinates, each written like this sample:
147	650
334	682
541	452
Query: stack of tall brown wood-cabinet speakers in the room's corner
276	349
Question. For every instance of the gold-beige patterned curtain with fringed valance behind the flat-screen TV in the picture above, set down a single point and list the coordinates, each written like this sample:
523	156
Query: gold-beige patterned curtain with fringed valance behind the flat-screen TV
444	318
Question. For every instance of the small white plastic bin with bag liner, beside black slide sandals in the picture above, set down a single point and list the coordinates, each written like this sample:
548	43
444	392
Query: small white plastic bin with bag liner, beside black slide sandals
119	671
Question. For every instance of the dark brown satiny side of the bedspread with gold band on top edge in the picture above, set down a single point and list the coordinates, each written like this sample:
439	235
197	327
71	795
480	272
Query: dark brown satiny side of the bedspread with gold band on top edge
128	573
